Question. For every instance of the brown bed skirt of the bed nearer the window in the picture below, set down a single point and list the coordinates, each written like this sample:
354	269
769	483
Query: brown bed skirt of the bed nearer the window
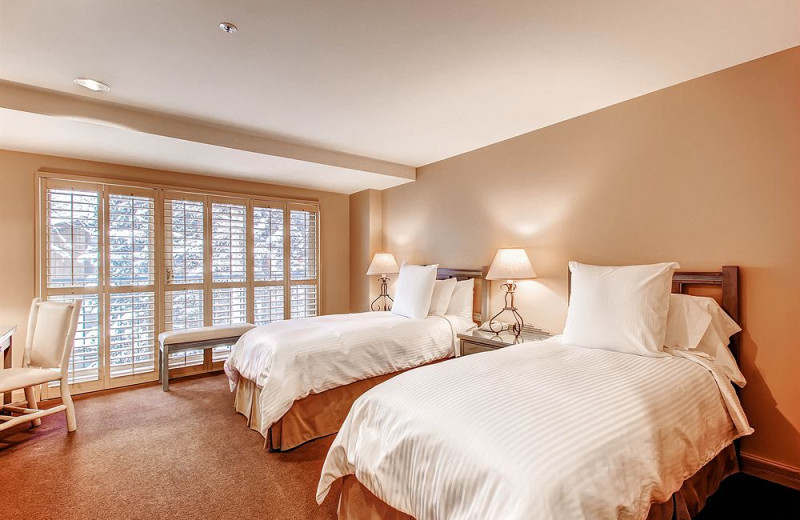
312	417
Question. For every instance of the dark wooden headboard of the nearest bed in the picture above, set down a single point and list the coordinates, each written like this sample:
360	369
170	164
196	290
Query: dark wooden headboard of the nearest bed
724	287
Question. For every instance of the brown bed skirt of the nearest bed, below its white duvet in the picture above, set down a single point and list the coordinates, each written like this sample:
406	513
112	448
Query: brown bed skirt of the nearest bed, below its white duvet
356	502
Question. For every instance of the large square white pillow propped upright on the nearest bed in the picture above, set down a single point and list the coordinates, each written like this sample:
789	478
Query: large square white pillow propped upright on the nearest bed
620	308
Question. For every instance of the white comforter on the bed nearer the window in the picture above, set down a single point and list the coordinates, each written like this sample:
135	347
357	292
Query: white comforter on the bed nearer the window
293	358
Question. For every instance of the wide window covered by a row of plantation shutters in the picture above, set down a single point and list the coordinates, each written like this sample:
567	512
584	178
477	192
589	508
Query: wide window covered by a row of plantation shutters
145	260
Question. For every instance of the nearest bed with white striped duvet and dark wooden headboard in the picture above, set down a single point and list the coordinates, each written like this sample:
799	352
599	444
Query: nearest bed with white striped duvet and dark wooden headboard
608	421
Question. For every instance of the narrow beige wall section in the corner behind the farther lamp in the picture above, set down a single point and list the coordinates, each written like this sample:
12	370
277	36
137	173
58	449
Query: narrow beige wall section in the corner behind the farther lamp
365	241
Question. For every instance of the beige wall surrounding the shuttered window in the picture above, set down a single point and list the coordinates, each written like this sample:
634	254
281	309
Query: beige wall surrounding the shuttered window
17	207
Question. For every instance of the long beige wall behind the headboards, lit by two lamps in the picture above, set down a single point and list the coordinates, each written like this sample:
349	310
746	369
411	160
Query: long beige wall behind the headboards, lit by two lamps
706	173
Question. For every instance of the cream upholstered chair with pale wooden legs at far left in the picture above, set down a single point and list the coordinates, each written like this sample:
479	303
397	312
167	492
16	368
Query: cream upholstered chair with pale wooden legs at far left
51	332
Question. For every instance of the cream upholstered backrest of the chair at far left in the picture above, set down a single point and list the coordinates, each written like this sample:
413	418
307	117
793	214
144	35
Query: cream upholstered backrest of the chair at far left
51	333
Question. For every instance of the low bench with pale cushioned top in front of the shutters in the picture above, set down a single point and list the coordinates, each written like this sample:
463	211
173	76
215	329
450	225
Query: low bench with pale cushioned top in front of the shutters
197	338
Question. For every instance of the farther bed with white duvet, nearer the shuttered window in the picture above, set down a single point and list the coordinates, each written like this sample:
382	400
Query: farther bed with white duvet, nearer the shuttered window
295	380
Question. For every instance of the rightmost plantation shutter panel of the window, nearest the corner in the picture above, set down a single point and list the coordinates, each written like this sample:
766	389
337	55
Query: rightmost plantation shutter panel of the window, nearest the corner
303	261
